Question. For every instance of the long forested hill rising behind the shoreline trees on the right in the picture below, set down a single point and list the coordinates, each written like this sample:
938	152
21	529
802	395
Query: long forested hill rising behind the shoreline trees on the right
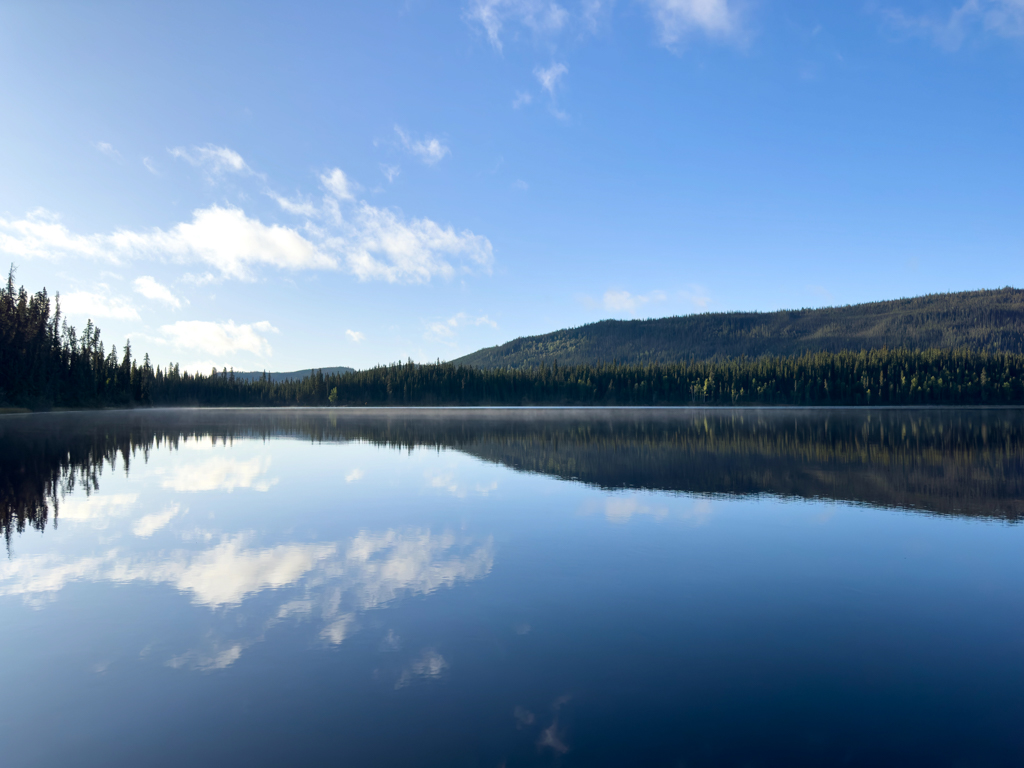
980	321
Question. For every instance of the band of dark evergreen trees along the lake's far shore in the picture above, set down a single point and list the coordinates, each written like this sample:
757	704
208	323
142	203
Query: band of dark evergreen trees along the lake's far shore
46	363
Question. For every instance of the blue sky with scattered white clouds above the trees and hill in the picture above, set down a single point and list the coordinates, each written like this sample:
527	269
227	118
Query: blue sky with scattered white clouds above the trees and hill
280	186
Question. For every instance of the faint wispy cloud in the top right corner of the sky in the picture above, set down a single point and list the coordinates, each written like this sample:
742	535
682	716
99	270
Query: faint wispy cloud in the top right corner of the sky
1004	18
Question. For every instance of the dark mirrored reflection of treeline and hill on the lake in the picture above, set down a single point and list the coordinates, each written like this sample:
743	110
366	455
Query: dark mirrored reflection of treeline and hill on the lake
961	462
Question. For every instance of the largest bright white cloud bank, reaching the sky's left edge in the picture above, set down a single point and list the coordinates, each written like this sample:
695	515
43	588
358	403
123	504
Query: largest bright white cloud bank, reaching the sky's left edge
373	243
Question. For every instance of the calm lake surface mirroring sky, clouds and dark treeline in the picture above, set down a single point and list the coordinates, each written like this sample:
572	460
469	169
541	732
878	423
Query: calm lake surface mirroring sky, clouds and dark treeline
649	588
